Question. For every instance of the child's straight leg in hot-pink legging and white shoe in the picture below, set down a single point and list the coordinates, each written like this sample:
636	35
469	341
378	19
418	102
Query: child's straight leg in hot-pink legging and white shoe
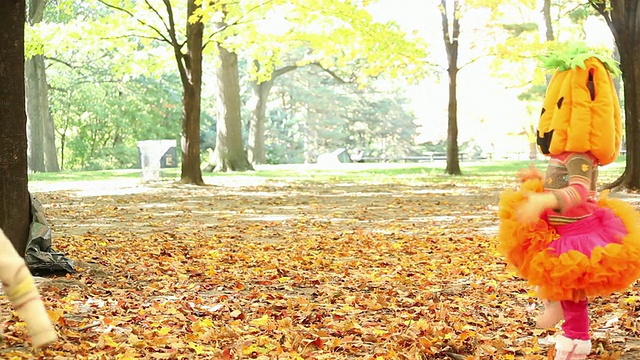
575	344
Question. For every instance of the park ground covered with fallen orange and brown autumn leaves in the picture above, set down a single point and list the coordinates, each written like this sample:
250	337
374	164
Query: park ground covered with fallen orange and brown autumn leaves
292	271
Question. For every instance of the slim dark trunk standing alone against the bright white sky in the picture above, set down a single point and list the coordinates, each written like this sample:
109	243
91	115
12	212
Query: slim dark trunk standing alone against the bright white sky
451	46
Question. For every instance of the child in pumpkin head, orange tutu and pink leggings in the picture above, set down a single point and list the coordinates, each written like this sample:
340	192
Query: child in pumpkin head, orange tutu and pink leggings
553	230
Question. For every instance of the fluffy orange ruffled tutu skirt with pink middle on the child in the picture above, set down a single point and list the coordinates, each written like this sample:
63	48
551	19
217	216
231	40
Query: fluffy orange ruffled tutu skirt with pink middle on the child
540	255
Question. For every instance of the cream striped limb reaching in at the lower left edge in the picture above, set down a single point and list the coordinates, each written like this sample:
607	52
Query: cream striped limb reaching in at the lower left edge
18	286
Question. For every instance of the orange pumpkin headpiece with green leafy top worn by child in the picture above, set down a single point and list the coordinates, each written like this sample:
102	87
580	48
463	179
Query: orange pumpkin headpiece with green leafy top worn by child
581	110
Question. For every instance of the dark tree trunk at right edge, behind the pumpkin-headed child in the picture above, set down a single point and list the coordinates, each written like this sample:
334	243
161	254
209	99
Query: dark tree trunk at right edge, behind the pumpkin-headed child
623	19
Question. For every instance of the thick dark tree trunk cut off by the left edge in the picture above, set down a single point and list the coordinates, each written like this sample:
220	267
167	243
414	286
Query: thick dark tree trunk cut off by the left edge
14	194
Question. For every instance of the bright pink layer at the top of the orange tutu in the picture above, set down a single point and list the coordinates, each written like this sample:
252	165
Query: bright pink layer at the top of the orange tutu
599	229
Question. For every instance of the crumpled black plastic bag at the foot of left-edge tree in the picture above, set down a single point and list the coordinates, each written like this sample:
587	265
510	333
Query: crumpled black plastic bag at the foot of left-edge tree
39	255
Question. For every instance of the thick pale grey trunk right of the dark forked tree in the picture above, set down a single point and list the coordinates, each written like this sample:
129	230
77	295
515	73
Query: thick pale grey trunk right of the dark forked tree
229	154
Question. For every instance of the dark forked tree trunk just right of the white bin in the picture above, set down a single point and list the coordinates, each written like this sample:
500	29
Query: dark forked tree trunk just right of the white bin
191	76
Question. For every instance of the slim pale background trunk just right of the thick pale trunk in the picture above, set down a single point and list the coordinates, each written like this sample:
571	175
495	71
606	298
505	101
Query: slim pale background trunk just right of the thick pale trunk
255	150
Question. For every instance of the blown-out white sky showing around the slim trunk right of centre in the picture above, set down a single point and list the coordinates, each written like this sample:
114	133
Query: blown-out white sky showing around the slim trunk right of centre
487	112
